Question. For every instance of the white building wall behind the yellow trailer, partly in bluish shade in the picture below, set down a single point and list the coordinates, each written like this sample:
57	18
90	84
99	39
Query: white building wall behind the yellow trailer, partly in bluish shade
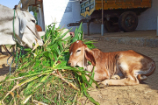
64	12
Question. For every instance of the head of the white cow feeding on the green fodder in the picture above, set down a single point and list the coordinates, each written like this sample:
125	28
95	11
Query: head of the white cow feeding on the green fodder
25	28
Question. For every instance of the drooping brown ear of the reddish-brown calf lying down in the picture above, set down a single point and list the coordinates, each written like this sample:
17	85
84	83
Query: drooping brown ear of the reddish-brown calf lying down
89	54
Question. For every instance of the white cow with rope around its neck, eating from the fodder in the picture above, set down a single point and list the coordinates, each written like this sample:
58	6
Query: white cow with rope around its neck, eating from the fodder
24	27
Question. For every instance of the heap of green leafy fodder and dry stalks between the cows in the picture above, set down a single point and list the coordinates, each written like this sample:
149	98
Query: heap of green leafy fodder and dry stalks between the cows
43	75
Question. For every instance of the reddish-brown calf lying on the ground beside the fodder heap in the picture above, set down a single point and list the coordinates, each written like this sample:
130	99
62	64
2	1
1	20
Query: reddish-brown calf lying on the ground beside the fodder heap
130	65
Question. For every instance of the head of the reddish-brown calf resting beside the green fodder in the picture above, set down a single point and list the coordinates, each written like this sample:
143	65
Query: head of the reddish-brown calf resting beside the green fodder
79	54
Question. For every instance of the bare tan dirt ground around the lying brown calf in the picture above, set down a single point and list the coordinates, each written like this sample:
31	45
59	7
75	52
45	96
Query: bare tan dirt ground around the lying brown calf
142	94
